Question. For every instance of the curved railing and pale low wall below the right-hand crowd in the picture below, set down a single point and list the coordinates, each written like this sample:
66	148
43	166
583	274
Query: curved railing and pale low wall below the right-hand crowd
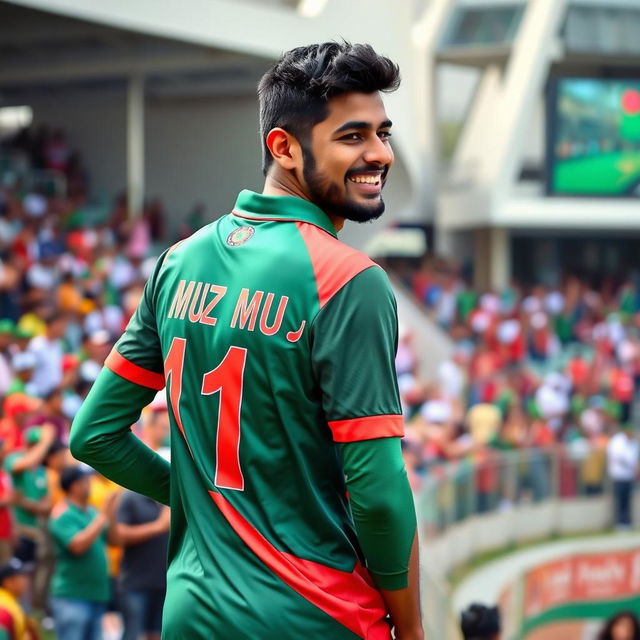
488	501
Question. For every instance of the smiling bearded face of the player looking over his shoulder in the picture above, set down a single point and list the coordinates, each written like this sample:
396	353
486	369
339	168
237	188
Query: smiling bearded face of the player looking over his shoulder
348	157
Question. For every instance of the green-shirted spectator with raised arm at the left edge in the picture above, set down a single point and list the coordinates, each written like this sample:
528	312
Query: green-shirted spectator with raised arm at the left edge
31	493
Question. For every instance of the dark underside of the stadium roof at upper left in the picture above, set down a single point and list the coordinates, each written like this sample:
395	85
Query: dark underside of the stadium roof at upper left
47	52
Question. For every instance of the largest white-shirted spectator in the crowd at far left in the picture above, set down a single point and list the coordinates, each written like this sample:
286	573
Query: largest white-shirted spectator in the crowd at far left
48	352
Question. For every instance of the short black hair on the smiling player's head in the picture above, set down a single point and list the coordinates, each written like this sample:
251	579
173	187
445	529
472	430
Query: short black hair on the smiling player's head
294	93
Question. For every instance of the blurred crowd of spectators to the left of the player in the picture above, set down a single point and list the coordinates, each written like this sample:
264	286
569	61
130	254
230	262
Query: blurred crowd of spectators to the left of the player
72	543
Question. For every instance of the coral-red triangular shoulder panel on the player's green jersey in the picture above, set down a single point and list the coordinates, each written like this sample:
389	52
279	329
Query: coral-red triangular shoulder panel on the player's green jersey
334	263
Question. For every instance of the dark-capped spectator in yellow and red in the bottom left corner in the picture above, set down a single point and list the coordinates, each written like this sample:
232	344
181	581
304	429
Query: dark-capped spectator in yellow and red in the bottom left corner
14	583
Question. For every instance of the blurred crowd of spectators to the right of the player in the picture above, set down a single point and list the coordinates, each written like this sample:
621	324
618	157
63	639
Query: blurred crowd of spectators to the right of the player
532	368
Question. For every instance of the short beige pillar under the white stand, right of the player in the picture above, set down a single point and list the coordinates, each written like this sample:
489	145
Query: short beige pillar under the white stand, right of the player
491	259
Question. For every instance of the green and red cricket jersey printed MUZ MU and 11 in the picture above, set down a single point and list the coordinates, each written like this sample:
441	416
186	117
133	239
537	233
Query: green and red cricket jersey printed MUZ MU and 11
276	341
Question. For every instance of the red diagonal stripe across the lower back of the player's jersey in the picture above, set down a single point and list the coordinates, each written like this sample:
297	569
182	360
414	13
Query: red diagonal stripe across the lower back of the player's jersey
349	598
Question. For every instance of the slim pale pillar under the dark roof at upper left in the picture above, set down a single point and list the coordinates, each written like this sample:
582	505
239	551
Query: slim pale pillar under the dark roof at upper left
135	145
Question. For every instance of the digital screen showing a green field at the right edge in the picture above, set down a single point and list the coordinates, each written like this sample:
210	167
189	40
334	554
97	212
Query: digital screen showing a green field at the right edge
594	137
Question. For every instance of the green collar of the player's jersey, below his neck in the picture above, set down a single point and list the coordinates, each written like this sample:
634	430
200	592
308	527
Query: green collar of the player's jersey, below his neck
256	206
